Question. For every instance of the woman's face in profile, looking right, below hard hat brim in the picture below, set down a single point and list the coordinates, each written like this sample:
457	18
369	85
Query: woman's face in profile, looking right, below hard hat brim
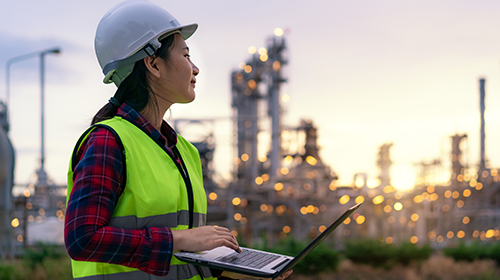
178	74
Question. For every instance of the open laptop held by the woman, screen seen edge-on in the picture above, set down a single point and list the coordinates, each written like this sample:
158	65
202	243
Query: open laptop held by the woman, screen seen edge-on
255	262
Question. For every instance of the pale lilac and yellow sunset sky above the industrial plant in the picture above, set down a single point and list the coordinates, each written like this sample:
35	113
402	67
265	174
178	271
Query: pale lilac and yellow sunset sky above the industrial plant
365	72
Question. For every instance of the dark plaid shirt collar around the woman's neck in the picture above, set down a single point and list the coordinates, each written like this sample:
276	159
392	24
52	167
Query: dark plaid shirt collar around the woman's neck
167	135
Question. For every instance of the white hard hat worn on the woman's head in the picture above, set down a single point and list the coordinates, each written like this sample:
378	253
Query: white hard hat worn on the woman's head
129	32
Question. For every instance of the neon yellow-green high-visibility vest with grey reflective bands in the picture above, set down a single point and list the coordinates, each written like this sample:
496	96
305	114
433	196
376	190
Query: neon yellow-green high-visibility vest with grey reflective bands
155	195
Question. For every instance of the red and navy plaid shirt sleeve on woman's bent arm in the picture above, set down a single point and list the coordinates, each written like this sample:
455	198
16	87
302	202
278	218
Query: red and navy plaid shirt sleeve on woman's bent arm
97	185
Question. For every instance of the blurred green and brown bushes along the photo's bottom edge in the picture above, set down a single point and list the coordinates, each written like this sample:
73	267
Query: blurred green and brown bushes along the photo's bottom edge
362	259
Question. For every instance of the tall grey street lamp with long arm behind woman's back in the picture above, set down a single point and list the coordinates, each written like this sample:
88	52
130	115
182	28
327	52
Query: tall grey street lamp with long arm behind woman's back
41	174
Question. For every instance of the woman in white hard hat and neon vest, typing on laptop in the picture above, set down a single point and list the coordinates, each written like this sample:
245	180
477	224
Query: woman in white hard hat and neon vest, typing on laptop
135	186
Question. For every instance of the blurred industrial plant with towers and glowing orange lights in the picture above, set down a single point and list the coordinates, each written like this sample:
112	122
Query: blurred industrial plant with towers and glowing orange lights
288	190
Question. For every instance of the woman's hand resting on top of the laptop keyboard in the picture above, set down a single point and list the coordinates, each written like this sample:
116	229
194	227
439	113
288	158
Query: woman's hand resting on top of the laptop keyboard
204	238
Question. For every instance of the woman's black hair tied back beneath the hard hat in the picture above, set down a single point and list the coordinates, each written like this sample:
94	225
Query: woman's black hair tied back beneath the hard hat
135	89
